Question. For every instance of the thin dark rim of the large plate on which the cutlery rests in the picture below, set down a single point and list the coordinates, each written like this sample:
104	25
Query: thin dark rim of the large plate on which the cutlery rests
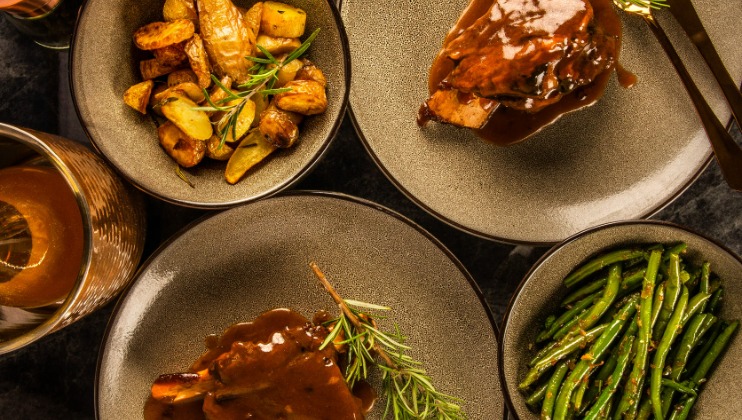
503	239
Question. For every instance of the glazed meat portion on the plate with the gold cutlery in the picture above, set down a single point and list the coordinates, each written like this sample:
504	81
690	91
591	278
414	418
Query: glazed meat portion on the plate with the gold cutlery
520	54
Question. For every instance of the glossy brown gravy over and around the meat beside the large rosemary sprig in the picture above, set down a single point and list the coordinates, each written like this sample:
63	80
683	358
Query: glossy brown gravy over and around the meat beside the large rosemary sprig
292	376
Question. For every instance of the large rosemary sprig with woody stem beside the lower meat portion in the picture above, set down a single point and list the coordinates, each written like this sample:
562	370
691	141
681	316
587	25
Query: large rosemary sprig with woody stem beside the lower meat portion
408	389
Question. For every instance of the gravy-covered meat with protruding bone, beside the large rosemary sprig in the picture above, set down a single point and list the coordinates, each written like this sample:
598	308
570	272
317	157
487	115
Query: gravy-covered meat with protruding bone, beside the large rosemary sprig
271	368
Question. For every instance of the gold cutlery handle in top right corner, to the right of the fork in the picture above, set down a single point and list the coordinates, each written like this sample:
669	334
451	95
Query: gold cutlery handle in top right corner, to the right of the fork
688	19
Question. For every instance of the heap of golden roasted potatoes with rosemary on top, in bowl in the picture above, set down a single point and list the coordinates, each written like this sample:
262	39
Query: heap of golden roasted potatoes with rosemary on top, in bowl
203	39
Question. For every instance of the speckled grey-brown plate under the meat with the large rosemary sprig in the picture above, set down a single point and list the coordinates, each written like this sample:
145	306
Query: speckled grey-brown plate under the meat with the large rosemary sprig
237	264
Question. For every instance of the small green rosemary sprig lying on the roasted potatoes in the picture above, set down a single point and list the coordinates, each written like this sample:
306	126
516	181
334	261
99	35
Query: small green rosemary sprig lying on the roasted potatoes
262	78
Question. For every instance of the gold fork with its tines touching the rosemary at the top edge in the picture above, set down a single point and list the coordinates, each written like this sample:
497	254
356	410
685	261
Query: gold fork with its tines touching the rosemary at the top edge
728	153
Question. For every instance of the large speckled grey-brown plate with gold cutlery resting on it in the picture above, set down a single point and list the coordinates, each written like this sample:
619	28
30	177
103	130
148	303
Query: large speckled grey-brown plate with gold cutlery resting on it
623	158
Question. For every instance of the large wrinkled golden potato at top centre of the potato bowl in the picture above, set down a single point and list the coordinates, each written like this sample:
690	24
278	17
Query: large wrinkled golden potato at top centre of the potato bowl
226	38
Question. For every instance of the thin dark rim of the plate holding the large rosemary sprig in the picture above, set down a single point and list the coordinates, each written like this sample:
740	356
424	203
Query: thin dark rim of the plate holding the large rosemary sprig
330	195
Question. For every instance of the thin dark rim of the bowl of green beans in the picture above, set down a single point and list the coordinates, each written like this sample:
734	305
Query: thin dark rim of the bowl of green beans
577	236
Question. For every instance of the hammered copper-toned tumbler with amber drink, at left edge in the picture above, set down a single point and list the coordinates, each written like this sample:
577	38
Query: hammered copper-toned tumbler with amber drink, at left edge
113	220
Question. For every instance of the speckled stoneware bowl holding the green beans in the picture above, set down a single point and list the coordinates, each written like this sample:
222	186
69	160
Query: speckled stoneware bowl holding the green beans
535	299
